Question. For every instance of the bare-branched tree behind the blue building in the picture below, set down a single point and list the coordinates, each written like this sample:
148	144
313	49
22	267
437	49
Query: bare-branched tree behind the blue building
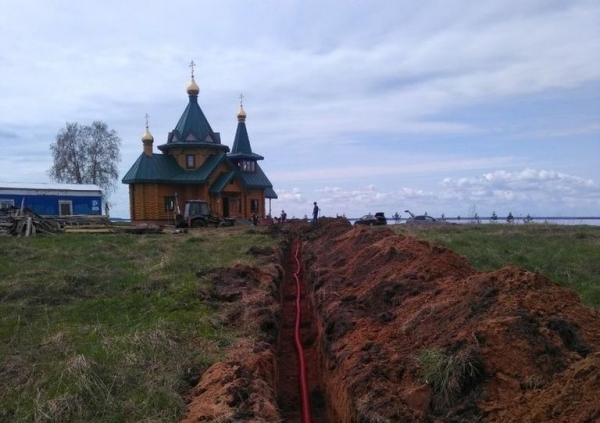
86	155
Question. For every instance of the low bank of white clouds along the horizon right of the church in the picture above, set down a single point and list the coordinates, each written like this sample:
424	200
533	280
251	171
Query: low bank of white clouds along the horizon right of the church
539	192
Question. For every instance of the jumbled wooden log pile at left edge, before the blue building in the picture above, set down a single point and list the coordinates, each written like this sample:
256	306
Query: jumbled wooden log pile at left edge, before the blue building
22	221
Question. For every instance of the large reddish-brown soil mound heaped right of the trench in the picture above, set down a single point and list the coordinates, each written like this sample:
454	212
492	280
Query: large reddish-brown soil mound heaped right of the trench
529	350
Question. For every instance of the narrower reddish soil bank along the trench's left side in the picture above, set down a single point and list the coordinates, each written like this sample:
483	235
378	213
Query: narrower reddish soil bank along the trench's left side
242	387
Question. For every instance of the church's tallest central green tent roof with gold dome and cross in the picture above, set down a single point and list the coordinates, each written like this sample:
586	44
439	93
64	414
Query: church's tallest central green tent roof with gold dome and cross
193	129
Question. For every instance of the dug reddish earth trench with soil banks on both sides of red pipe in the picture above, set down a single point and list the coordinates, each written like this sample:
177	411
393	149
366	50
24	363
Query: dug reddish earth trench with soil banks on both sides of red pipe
398	330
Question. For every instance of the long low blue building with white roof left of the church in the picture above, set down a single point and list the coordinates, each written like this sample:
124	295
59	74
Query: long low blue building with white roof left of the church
53	199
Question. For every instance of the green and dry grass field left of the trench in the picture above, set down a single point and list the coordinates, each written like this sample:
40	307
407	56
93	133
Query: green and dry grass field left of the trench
109	327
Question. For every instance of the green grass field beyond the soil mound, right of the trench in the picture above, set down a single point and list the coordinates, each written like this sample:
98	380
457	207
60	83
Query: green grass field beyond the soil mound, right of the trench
569	255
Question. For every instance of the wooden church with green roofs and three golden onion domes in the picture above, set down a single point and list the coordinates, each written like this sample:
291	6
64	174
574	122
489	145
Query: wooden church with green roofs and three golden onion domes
194	165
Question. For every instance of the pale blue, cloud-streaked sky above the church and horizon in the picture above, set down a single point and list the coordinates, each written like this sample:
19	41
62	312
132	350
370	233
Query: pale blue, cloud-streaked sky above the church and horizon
442	106
